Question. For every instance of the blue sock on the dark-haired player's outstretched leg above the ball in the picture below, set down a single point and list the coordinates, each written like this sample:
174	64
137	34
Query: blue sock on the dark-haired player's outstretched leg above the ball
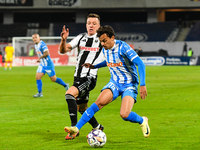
87	115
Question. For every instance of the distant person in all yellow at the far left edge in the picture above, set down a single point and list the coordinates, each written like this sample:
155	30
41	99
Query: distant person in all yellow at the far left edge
9	54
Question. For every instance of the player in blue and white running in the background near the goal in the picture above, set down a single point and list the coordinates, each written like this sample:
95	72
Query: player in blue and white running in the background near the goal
46	65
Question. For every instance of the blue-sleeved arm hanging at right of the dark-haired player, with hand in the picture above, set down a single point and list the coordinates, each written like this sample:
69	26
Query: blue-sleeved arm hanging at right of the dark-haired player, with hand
142	73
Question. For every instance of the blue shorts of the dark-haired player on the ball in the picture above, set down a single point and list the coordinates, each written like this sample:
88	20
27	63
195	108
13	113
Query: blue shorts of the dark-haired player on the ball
122	89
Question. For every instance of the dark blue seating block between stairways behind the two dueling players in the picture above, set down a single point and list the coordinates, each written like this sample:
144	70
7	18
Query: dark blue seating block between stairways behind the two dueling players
154	31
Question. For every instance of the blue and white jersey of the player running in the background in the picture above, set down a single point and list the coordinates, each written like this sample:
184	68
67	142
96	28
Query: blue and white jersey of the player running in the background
40	48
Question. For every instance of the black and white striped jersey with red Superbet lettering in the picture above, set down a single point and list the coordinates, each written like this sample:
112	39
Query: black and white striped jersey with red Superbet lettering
90	51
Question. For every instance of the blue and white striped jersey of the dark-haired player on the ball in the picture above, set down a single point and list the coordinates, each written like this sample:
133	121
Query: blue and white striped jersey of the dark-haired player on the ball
119	60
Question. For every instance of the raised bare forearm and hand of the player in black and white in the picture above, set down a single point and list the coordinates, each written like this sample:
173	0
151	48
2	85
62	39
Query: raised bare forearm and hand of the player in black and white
64	47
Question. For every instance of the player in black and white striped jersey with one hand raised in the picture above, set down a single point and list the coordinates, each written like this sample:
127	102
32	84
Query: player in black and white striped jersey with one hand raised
90	50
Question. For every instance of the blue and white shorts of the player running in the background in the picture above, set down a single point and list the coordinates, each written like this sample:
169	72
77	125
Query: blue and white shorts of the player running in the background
50	70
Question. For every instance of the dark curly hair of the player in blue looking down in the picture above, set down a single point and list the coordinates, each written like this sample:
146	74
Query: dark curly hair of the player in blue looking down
108	30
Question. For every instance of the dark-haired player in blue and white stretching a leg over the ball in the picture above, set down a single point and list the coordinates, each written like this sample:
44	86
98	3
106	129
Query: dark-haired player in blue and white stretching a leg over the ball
122	61
